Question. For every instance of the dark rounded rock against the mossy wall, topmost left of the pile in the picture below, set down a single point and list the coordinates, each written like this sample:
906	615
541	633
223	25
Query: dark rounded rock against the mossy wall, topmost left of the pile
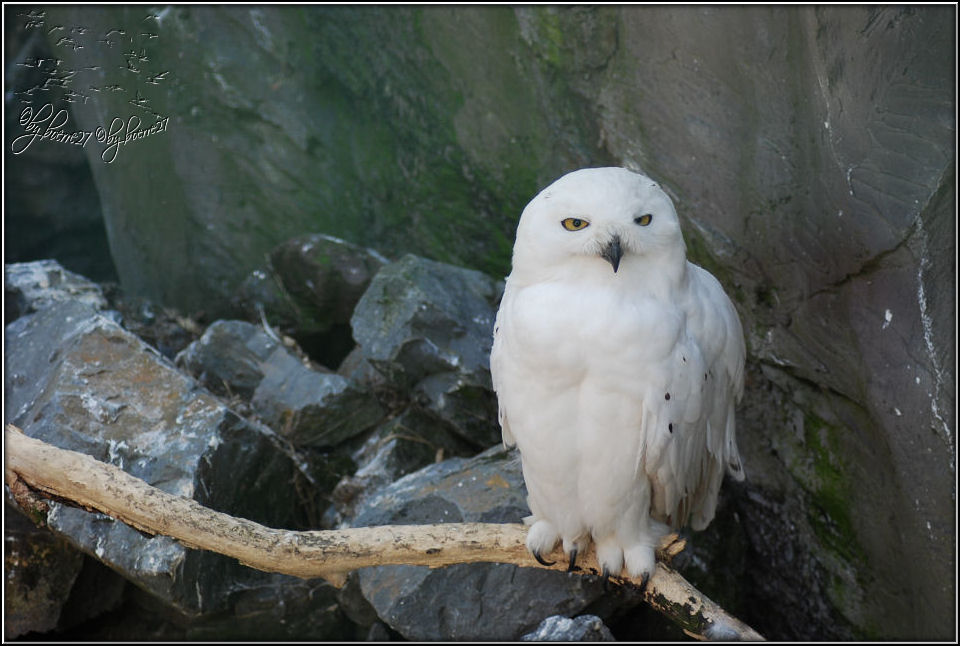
309	289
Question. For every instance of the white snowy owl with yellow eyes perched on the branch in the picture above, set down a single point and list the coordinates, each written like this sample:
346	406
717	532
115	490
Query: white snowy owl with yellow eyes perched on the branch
617	365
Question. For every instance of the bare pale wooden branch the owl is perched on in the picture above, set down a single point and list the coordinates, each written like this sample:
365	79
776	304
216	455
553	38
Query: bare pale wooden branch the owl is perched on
33	466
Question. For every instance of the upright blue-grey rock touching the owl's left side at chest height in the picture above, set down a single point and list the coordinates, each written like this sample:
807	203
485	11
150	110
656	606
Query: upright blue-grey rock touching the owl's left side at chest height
428	326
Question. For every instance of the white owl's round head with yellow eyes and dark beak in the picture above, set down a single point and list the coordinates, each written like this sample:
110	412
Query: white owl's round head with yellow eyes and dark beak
597	218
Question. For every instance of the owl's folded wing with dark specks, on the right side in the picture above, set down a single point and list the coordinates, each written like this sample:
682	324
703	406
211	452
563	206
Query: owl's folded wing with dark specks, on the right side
689	436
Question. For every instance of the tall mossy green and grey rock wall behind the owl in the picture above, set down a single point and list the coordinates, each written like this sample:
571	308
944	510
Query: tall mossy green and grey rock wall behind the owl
809	150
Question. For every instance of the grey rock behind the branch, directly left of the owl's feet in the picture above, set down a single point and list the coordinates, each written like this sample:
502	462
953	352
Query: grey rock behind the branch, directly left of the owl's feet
480	601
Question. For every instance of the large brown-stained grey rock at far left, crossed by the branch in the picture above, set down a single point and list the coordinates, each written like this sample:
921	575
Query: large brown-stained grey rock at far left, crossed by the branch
79	381
